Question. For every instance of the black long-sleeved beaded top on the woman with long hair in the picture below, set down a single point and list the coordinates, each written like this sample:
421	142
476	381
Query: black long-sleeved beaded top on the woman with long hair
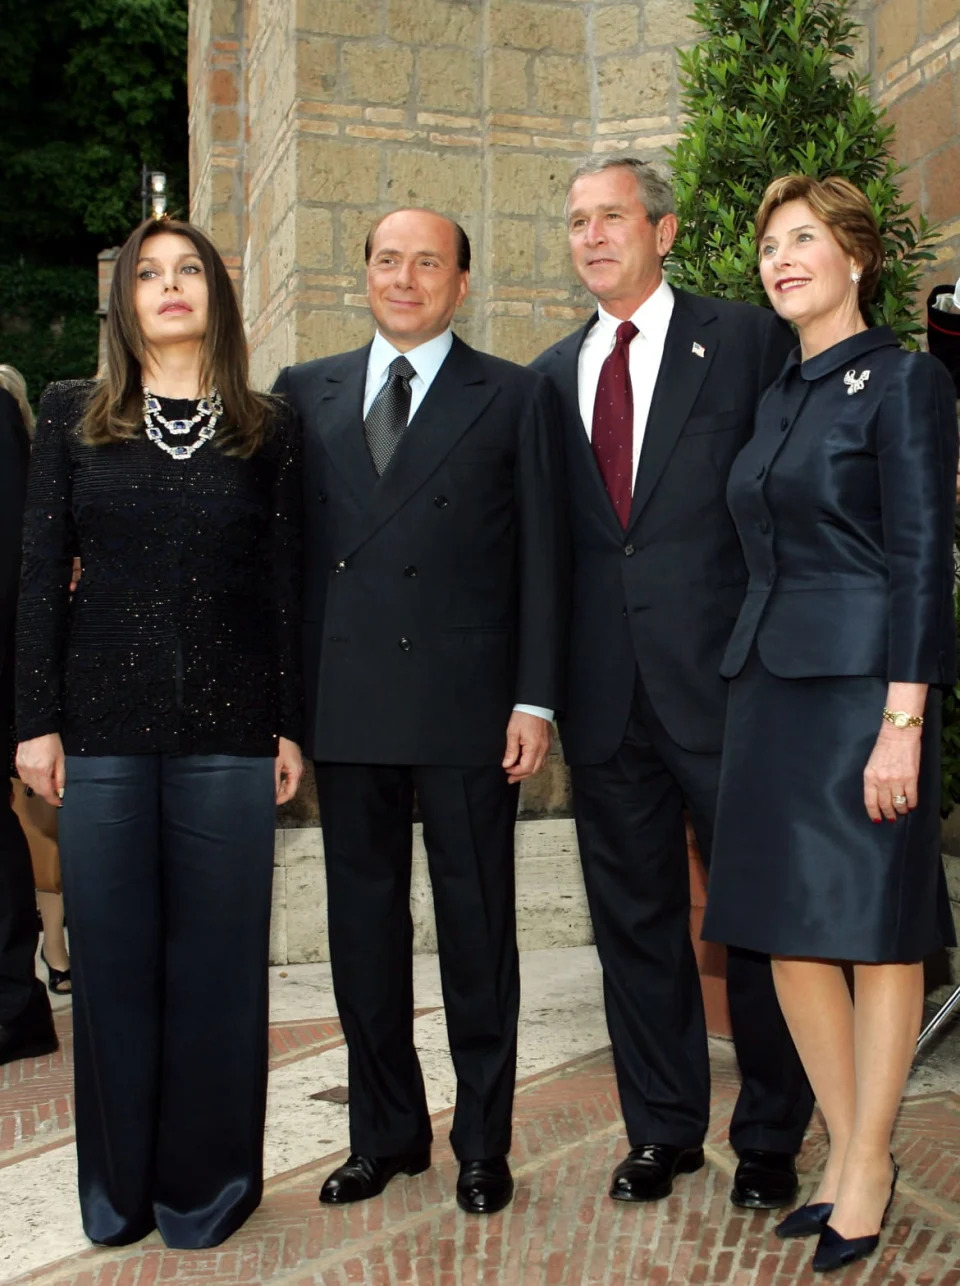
183	636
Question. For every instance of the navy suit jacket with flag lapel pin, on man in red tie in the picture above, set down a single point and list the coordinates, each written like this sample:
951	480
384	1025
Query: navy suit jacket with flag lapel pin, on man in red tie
664	595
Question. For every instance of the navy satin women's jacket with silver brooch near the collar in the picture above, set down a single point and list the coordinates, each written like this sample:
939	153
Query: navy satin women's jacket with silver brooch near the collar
845	506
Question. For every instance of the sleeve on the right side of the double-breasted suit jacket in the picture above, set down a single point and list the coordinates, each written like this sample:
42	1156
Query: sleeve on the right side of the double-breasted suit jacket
543	554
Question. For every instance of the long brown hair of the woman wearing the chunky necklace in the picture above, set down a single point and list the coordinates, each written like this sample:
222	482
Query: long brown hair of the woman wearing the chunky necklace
115	411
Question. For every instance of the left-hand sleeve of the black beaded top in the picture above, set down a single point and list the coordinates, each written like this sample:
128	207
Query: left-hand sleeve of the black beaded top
49	545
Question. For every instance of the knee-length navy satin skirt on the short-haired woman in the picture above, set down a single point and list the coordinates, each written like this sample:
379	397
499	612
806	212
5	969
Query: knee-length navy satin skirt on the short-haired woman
799	869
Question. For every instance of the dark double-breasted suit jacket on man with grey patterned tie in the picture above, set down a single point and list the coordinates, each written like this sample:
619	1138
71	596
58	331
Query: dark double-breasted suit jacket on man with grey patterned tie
435	595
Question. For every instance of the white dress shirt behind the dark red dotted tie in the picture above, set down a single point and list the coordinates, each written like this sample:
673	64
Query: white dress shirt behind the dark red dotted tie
646	356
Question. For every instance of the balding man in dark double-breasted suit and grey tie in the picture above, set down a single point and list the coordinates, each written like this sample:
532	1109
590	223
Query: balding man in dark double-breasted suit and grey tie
434	633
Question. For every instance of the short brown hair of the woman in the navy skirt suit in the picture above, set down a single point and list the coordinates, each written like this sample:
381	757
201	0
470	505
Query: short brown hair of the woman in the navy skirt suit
846	212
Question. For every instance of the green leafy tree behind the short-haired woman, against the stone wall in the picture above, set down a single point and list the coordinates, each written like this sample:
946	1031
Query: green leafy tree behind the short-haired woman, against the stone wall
772	91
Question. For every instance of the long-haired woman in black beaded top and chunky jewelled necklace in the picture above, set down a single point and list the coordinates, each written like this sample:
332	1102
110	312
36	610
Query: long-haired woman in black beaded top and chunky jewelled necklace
161	708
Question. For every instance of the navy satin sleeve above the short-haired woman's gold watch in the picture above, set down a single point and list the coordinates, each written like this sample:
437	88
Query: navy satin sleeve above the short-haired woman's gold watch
917	456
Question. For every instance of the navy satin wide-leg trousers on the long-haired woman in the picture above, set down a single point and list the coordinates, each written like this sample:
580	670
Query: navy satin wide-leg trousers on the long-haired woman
168	867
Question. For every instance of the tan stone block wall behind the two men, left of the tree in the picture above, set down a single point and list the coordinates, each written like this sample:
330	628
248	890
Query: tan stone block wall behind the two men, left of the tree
477	107
